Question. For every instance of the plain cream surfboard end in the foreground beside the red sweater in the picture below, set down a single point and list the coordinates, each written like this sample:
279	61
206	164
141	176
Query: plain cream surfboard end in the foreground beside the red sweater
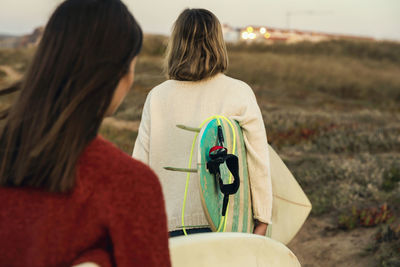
229	250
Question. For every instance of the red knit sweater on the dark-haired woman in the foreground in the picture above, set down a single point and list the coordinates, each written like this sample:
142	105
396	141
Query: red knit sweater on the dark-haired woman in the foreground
115	216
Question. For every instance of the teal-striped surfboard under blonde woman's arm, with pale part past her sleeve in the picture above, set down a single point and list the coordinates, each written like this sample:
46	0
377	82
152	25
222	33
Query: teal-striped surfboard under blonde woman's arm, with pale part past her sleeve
291	206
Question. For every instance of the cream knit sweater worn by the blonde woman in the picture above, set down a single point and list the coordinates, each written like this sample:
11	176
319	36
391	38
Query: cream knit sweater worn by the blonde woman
160	143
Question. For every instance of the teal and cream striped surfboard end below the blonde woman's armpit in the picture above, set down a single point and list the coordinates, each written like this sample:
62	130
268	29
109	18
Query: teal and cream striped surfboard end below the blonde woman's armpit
239	217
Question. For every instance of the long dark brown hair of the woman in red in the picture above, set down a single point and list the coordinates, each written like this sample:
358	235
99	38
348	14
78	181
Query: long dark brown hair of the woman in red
87	47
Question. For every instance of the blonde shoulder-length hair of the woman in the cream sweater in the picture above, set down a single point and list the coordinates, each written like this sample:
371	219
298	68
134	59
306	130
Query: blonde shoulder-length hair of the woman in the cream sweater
196	49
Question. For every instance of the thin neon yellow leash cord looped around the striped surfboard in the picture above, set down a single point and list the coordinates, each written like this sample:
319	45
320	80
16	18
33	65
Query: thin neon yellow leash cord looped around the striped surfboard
224	218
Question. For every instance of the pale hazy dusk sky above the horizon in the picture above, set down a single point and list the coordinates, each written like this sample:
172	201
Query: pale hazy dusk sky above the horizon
375	18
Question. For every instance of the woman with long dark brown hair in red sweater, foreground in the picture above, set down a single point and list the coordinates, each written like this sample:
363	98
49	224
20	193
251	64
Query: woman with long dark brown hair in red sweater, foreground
67	195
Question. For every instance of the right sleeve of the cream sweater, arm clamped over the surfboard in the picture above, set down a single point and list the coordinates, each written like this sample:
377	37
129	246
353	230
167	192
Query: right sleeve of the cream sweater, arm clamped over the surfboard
255	138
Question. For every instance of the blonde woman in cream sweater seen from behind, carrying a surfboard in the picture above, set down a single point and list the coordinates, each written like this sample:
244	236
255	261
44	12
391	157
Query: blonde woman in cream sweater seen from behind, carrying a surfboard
197	89
